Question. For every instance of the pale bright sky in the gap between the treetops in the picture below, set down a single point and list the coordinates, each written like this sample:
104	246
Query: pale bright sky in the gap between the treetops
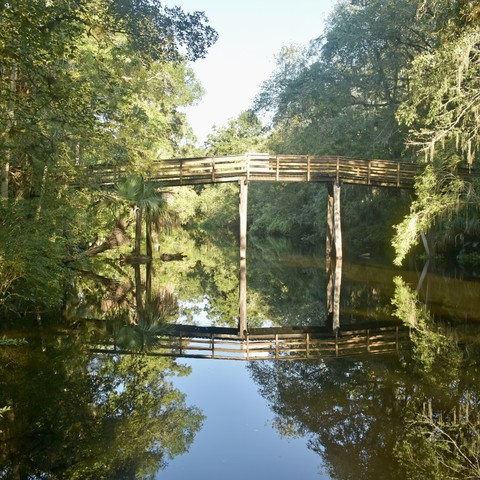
251	33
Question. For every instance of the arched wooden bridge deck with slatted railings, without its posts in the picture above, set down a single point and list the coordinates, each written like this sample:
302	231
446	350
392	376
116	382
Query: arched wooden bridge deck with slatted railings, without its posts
275	168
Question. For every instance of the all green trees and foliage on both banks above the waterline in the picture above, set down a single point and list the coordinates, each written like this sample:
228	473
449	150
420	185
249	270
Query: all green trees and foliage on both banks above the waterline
87	84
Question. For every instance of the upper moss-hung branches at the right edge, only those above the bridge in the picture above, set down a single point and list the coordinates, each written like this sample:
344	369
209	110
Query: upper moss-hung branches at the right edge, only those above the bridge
443	108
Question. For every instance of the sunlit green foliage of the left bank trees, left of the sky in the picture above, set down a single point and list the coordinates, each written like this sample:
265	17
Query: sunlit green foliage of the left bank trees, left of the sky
83	85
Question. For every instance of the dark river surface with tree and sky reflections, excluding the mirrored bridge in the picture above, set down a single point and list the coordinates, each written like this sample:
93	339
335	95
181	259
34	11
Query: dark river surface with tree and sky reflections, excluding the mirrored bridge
413	413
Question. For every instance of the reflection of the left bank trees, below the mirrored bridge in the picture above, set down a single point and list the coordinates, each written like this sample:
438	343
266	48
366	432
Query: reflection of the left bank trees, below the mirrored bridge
75	415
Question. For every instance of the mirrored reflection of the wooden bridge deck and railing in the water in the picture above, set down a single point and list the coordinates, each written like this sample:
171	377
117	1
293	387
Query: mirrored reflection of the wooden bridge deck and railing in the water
296	343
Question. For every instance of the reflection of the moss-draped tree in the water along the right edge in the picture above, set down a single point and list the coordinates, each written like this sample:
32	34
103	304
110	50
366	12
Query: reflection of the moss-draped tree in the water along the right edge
443	439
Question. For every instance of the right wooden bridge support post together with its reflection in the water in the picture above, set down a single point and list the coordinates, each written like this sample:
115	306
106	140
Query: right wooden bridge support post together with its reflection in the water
334	236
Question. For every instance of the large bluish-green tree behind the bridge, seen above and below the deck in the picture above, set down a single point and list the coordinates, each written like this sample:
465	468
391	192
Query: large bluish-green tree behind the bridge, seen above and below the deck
340	97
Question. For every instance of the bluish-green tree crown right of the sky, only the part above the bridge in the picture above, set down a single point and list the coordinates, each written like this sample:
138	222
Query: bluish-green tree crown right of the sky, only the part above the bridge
341	96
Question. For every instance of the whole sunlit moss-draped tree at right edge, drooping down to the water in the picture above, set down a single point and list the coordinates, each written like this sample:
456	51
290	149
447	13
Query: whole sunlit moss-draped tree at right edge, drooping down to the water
442	114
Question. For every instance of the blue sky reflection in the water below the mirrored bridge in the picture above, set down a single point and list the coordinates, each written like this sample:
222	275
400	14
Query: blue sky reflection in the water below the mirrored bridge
237	440
